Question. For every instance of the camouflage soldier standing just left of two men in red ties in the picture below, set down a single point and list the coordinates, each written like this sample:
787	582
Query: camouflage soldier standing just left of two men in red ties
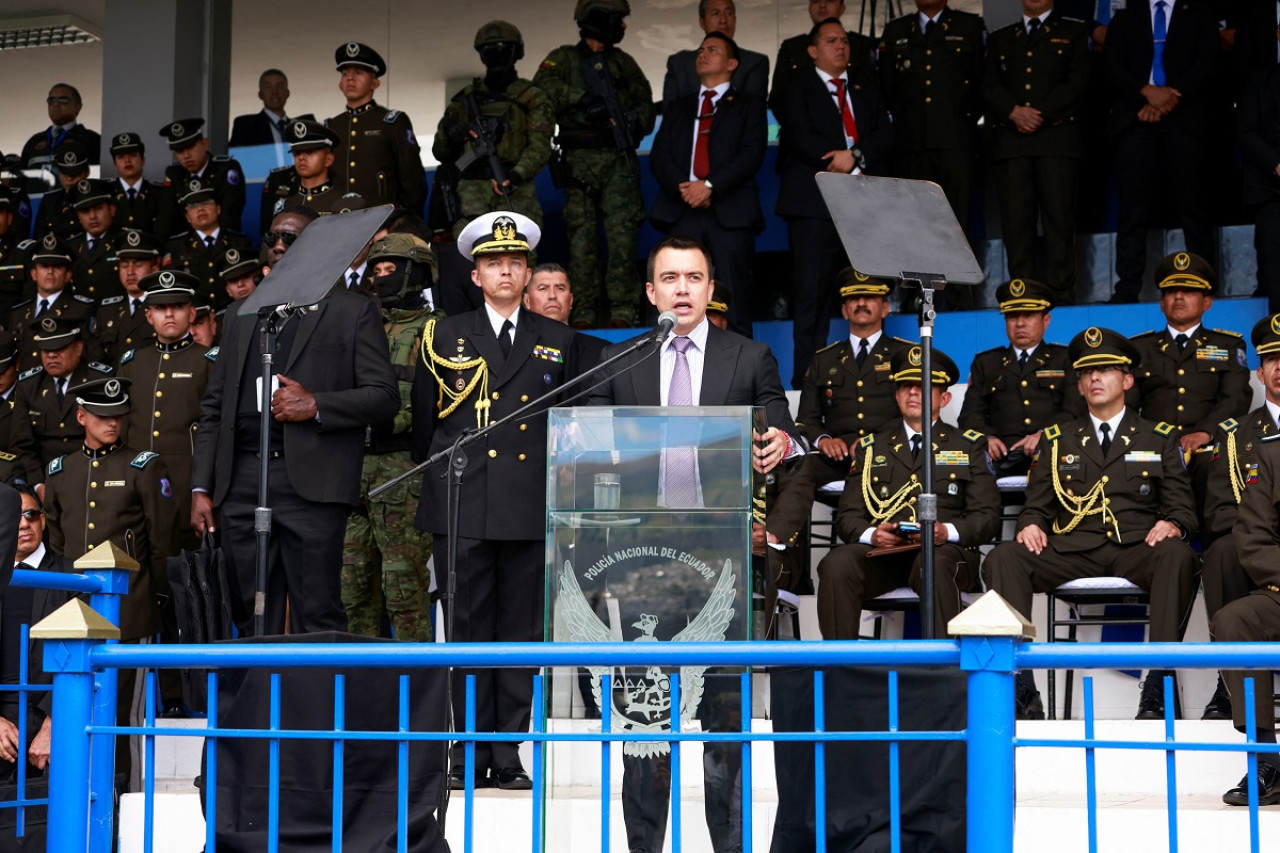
602	175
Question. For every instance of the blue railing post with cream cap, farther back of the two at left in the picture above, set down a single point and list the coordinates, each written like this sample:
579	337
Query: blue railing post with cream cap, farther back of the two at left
111	568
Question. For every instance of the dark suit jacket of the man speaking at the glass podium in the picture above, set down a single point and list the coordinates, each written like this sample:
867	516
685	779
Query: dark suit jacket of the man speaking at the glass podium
737	372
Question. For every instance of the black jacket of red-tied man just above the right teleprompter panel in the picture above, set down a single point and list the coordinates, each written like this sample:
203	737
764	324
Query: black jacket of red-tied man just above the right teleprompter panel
812	126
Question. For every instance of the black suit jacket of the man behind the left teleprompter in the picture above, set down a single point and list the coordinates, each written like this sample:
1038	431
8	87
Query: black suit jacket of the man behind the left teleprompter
340	355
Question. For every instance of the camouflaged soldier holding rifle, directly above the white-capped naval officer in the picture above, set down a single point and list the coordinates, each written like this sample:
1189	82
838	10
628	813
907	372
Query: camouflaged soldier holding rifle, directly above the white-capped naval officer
523	125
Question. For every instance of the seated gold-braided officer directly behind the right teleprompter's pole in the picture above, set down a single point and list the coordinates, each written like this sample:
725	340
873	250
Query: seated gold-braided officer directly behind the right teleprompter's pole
879	508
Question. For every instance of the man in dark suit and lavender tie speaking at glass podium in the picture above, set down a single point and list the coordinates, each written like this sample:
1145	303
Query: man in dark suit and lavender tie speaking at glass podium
698	366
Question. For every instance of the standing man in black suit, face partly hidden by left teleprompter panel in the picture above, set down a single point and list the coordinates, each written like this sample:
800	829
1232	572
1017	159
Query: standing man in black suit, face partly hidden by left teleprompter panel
335	378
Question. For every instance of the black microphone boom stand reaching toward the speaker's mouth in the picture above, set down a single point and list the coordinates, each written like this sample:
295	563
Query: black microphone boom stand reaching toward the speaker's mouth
458	468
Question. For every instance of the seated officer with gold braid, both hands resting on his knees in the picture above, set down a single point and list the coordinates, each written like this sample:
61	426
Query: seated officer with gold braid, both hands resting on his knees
1108	496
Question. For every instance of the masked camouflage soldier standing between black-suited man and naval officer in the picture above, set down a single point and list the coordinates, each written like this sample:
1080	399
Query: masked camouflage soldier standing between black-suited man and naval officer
382	542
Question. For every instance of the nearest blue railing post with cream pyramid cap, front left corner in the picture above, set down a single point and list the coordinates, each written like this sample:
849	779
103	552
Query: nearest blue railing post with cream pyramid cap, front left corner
70	635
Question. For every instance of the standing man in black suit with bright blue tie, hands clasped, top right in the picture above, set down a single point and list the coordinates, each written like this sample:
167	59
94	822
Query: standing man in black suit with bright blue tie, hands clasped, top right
1162	58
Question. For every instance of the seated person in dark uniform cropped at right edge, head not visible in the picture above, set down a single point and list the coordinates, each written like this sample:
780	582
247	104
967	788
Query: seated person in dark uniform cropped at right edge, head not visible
1256	617
